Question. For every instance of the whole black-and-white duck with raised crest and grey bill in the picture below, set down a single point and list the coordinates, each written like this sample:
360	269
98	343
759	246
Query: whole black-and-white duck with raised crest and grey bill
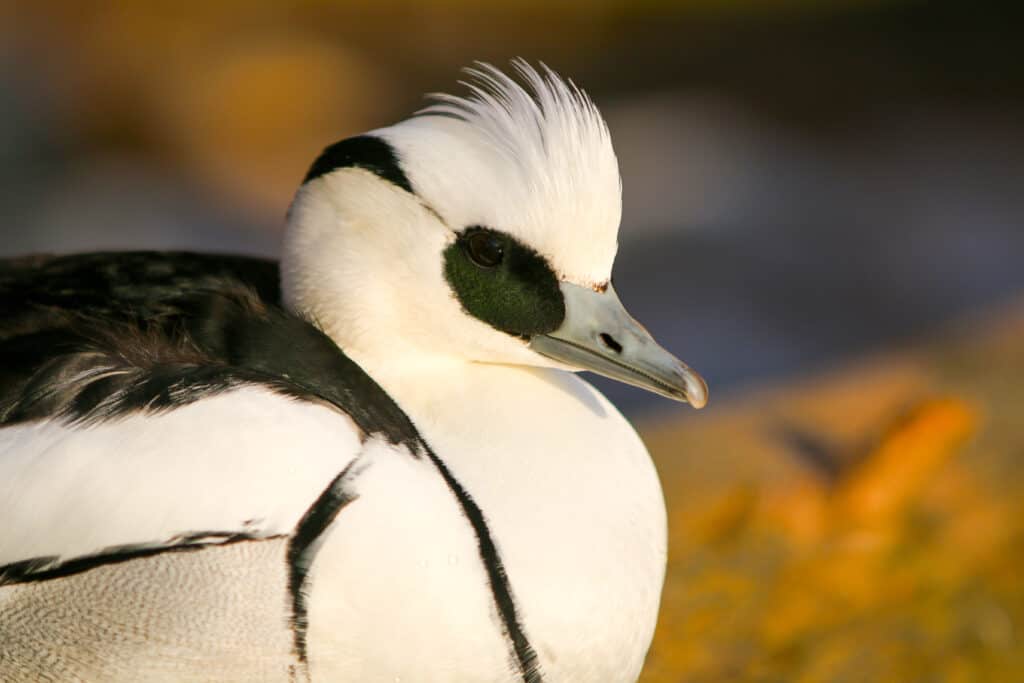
373	461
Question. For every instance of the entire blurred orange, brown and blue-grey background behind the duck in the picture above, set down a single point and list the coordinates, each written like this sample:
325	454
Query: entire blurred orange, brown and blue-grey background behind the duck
824	207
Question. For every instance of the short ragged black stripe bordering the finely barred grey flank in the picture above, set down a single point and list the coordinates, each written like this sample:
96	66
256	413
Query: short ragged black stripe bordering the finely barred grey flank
304	547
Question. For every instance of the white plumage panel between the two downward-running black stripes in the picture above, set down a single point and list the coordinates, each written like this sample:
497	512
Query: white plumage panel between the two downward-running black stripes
398	591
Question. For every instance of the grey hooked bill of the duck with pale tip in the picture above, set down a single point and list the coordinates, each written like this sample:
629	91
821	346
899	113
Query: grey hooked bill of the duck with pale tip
601	336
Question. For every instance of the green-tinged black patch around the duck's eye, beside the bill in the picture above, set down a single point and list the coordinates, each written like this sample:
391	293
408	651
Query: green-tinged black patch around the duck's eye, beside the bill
504	283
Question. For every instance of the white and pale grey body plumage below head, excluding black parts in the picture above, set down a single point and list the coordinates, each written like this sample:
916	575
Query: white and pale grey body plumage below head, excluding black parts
398	590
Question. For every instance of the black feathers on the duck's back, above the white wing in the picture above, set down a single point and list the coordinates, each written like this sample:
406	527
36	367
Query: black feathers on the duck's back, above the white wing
99	336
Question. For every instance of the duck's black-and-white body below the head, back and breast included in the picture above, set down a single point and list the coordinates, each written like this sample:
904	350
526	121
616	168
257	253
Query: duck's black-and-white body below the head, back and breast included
398	588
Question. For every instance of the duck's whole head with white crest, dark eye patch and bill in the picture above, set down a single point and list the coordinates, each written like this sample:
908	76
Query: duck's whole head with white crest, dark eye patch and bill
484	230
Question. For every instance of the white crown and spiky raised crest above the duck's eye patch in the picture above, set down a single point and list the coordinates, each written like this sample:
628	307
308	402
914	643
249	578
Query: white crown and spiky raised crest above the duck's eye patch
533	159
